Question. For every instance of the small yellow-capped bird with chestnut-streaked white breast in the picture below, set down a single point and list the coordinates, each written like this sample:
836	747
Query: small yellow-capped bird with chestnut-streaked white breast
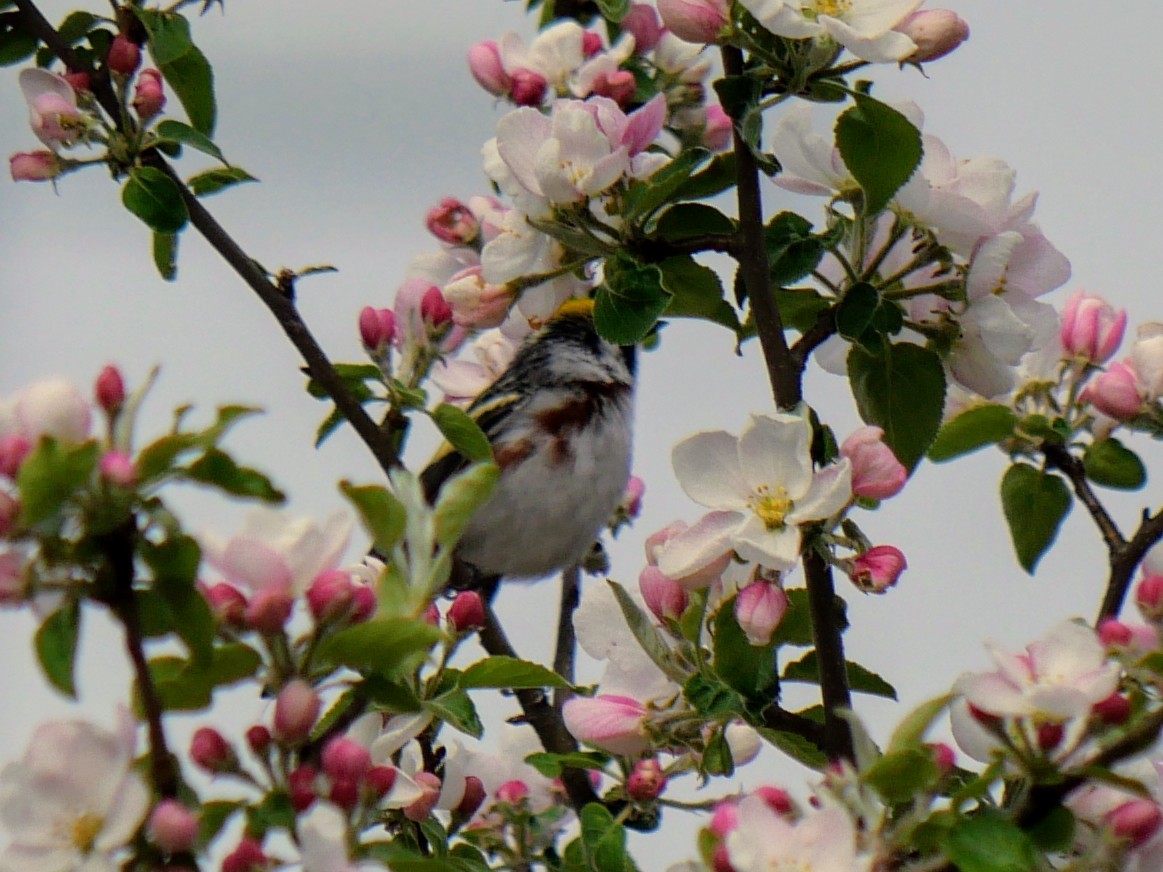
559	420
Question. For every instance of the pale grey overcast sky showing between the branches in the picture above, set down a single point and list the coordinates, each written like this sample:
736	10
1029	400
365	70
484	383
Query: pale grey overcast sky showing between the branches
360	116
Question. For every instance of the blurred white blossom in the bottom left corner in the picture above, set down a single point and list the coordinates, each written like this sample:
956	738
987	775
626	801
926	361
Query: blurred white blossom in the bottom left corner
73	802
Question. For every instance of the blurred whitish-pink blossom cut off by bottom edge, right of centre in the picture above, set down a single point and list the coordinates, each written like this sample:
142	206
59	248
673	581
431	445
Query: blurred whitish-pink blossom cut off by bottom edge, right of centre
823	841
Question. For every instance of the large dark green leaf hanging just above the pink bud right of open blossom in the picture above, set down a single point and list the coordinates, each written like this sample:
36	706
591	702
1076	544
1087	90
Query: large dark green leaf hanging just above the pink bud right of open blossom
902	390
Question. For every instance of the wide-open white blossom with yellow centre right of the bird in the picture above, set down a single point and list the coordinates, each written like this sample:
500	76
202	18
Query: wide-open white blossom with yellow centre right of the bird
761	487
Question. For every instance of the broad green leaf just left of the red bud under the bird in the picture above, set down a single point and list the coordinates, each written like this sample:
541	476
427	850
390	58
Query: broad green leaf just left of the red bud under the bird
388	647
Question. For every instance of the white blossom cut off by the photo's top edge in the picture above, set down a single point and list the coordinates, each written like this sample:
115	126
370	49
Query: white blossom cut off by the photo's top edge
864	27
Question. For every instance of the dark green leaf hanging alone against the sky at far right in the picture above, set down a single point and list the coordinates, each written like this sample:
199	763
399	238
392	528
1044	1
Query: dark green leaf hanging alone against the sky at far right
1036	503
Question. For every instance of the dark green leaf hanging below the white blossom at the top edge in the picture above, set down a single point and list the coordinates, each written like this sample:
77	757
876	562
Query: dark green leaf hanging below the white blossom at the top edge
880	147
